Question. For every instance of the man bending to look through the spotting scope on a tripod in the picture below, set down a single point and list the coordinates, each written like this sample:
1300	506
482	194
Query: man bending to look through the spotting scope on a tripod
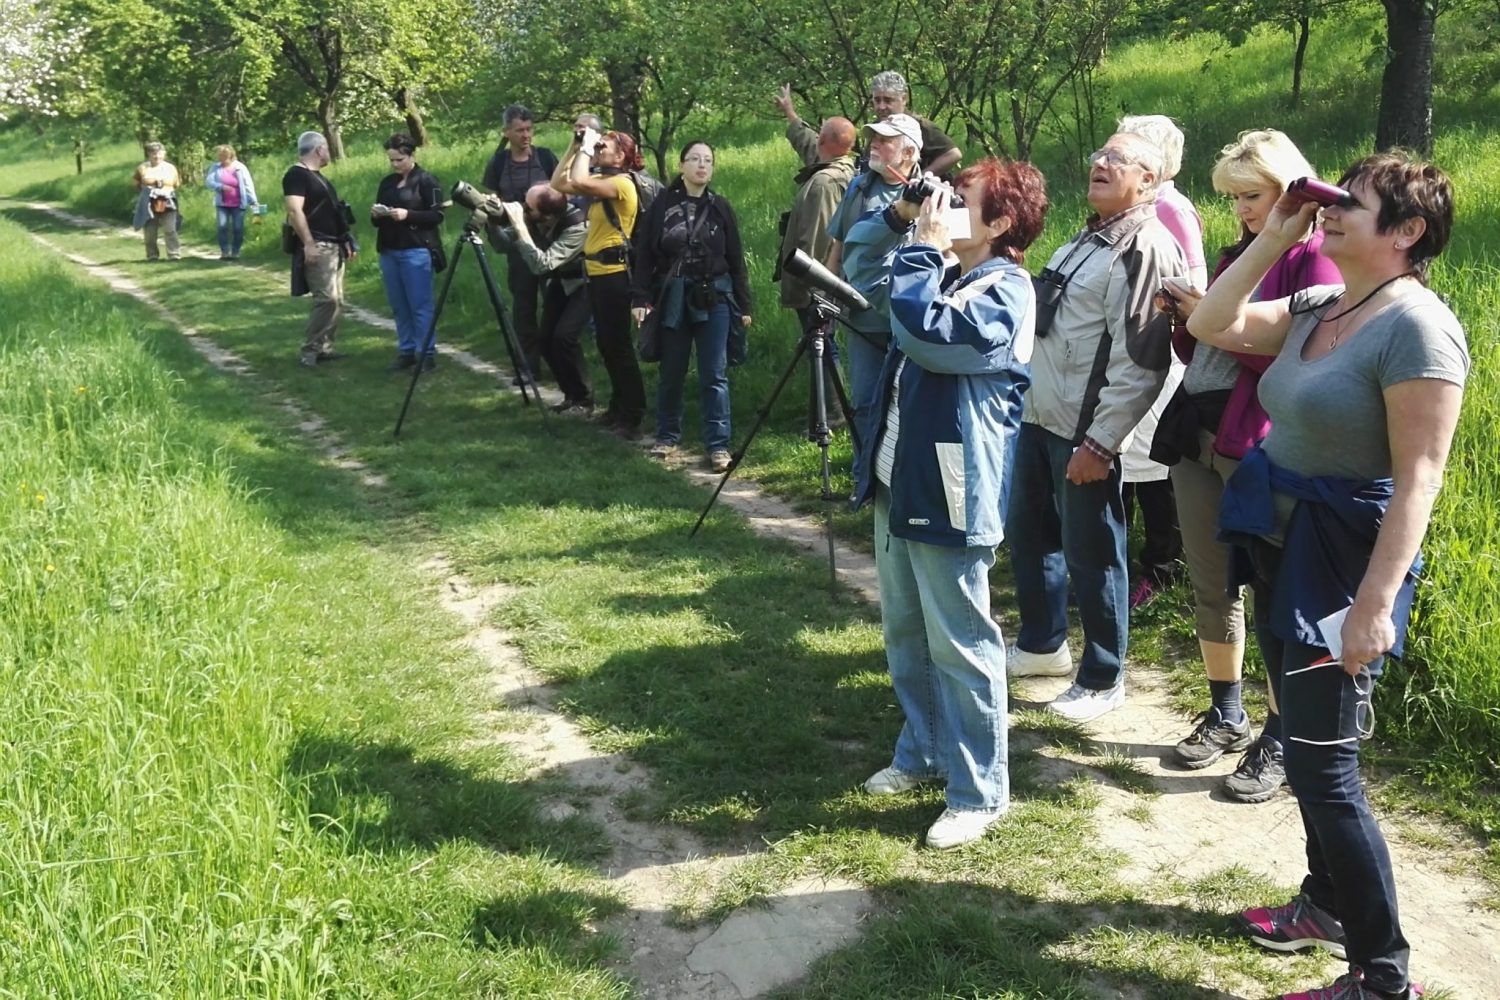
547	236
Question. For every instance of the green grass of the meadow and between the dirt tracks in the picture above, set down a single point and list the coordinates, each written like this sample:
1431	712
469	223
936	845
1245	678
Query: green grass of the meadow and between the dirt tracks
247	759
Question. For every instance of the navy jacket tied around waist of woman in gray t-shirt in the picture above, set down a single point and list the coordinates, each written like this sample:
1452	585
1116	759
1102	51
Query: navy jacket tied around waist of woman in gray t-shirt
1328	545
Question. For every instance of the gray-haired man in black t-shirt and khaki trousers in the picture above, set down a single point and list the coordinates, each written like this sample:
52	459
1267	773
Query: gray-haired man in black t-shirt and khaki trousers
317	215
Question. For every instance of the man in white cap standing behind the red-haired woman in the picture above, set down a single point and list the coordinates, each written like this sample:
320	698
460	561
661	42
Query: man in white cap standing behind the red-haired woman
862	247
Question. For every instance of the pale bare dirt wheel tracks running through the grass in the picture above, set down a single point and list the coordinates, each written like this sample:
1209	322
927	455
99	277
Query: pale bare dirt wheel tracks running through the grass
1189	833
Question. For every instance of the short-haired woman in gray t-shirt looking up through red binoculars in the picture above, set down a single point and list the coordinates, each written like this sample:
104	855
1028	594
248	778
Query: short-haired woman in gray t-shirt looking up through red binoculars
1367	386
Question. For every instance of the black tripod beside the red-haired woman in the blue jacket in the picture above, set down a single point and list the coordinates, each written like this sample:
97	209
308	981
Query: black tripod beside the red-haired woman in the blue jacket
817	341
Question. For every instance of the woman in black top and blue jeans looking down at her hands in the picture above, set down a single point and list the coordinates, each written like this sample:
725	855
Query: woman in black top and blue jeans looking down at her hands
407	215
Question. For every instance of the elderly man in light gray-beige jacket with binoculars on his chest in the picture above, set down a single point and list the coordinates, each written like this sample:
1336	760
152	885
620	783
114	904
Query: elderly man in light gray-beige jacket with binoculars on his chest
1100	362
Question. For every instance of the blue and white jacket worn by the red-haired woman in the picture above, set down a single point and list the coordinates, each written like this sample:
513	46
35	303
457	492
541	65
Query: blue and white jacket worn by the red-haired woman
967	341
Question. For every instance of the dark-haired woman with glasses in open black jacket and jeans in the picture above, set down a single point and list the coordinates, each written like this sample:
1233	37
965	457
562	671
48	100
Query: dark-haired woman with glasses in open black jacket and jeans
692	268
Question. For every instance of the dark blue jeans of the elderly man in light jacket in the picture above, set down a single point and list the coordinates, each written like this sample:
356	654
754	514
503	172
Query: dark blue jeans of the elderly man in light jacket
1058	531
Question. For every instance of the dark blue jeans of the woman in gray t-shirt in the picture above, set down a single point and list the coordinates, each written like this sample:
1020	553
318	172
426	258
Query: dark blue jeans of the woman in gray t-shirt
1324	716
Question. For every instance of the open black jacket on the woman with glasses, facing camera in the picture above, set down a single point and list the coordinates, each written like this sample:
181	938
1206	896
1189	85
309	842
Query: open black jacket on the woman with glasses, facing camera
718	248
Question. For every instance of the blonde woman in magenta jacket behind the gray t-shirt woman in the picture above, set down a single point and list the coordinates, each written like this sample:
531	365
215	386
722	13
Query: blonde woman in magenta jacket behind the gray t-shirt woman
1252	172
